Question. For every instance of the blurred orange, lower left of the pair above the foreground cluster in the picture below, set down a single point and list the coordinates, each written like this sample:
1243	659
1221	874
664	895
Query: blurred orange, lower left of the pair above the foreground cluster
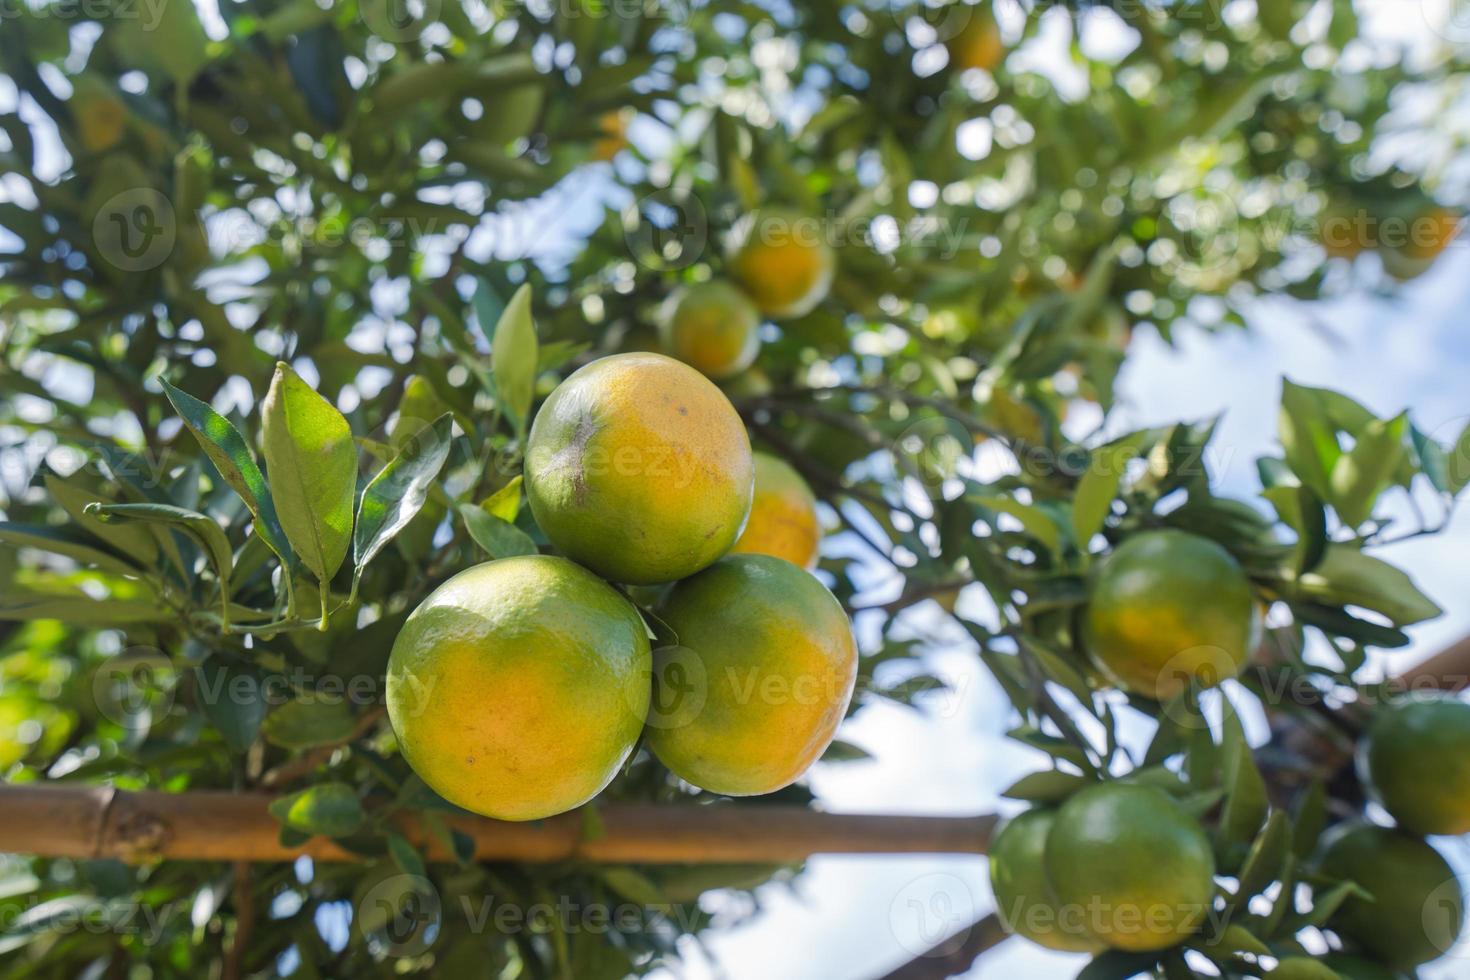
715	328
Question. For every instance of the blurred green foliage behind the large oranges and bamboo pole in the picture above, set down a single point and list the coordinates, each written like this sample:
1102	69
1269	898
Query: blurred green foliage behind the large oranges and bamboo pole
192	195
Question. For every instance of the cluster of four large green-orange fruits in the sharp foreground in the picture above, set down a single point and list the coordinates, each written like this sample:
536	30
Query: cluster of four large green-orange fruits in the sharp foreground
521	687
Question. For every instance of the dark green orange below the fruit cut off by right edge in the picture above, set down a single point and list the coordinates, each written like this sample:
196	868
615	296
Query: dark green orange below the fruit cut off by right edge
1418	907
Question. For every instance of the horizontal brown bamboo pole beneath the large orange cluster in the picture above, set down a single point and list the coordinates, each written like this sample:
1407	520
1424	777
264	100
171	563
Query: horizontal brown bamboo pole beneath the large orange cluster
80	822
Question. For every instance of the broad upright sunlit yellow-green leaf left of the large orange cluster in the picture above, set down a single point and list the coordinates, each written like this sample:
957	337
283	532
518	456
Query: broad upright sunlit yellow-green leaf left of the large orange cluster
314	471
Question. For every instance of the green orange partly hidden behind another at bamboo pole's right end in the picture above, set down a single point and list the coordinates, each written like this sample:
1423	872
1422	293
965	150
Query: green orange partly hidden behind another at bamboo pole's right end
1024	896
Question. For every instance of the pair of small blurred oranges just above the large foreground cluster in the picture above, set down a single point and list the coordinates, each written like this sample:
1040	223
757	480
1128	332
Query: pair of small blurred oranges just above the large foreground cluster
781	267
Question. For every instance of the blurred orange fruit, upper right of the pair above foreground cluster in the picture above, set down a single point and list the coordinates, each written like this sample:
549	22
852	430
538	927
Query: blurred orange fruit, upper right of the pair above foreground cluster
784	262
